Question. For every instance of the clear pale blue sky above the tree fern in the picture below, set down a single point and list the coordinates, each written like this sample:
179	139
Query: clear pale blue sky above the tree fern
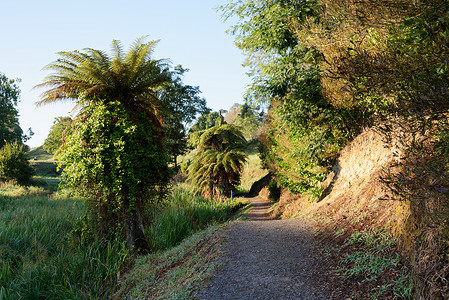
191	33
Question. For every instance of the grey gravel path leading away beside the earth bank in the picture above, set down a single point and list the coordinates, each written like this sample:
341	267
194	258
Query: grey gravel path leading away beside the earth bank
267	259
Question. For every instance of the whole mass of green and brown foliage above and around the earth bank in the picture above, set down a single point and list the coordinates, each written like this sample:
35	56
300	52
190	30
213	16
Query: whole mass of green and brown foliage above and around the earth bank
330	68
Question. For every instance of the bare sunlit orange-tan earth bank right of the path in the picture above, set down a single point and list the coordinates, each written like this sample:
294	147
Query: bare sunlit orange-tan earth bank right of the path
353	193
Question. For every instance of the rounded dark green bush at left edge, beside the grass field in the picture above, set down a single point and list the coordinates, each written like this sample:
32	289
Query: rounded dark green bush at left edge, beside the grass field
14	164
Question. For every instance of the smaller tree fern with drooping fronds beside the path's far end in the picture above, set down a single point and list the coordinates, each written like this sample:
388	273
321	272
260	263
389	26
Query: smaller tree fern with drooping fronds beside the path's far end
220	158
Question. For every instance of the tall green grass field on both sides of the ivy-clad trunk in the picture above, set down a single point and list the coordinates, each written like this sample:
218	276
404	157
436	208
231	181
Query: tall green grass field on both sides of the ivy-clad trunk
40	258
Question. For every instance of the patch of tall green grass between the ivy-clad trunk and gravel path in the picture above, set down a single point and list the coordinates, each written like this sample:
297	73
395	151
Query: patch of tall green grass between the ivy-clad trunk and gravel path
184	214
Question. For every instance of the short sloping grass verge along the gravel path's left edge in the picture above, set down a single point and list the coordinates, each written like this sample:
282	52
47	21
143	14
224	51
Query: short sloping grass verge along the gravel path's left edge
176	273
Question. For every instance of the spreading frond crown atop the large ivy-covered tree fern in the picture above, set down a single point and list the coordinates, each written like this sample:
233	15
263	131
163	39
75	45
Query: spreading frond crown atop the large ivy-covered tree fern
92	75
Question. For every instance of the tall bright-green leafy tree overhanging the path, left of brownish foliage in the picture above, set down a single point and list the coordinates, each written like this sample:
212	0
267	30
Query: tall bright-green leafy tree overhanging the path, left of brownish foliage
304	131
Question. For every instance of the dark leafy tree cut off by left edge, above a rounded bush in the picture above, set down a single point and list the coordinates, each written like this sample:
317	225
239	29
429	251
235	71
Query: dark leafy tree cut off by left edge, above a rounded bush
9	116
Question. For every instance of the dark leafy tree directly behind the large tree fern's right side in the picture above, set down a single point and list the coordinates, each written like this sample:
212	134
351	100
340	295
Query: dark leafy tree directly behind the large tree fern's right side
181	104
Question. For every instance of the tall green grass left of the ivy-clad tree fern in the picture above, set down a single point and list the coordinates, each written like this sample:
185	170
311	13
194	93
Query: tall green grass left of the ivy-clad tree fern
37	256
